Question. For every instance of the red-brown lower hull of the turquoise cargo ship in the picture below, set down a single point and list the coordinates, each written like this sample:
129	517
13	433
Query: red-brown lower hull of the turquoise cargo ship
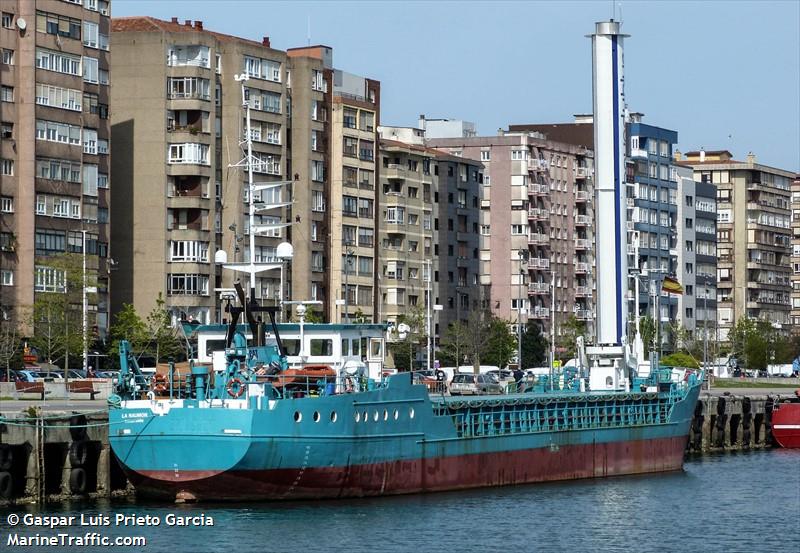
420	475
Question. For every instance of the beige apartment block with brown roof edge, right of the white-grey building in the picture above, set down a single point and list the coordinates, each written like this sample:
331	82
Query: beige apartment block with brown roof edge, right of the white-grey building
753	237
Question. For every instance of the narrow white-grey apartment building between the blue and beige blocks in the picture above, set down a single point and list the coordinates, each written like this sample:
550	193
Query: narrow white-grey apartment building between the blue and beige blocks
697	254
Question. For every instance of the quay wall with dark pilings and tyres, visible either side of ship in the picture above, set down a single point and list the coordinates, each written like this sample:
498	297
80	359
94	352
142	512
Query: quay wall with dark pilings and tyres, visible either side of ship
52	456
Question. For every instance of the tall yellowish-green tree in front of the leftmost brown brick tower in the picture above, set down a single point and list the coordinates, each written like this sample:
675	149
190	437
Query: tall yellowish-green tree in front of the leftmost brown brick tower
56	317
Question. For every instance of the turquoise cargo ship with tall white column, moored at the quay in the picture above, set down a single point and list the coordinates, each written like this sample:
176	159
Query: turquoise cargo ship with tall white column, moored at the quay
261	424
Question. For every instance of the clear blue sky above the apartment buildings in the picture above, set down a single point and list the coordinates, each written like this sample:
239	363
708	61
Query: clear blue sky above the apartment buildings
725	75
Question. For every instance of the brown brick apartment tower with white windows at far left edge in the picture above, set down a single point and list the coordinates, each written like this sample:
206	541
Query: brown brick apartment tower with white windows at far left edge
54	153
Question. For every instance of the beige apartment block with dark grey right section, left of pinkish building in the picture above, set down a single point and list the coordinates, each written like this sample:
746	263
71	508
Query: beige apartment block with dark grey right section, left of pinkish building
428	229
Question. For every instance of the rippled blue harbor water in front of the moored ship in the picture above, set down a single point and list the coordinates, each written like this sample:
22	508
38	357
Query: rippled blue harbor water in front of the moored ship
729	502
